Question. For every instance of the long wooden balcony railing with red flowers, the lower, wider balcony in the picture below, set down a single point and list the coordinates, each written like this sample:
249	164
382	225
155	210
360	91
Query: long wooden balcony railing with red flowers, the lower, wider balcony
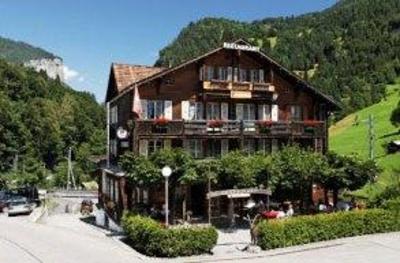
231	128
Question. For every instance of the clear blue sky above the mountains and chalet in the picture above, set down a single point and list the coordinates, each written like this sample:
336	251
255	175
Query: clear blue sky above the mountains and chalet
91	34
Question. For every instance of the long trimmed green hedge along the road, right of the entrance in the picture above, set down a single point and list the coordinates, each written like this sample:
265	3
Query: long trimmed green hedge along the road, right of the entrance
307	229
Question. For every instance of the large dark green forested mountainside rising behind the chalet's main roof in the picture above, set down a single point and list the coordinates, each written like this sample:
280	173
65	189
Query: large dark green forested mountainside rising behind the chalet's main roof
350	51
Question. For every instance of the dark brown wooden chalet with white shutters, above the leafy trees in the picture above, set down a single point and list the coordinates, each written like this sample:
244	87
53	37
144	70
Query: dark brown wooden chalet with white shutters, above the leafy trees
234	97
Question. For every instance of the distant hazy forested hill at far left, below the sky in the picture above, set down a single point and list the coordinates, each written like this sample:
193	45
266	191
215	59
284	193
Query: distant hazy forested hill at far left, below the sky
20	52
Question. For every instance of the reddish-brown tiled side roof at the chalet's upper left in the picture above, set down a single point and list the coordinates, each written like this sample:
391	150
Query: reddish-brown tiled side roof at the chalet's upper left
126	74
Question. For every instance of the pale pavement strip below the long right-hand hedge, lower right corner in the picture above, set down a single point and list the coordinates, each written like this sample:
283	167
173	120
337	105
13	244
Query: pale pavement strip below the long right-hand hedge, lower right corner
370	248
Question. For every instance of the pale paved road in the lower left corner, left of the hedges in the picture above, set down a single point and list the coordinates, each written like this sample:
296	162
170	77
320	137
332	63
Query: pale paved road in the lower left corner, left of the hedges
62	239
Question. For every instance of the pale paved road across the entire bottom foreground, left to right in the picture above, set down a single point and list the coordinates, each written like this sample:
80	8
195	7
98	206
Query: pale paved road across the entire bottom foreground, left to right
63	238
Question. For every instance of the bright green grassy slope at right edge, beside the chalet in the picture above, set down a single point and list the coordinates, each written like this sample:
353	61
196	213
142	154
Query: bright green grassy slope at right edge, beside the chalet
347	138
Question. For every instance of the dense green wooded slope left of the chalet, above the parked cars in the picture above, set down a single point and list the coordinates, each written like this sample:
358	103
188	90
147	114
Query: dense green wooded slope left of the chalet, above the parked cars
40	119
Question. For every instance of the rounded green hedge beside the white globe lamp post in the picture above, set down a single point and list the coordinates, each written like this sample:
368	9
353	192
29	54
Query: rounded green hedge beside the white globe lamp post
151	238
